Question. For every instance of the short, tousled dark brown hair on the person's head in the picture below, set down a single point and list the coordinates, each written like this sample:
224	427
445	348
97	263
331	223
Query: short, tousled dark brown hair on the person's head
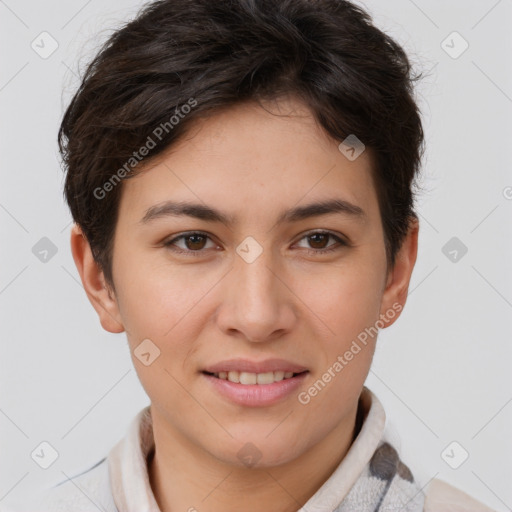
211	55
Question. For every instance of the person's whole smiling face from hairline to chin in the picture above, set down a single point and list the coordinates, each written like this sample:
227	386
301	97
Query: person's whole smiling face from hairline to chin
253	280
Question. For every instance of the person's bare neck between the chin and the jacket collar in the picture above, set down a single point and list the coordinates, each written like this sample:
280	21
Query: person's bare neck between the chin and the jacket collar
187	478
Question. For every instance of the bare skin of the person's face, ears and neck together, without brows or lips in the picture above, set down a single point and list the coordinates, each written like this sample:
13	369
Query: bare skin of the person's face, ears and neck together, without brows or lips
200	310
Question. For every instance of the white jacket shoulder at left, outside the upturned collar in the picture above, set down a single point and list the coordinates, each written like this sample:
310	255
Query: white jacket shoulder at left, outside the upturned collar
88	491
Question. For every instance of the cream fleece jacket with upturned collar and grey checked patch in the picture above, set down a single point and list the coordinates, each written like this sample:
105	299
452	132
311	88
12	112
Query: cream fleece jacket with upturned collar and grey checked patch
120	482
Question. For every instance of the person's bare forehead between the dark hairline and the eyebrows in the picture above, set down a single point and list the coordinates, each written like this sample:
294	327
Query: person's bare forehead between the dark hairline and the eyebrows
249	159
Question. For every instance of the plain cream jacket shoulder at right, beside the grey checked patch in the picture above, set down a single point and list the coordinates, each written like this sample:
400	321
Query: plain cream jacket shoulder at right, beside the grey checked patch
442	497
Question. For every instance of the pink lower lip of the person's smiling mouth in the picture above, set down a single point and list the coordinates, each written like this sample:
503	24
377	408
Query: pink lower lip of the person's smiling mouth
256	395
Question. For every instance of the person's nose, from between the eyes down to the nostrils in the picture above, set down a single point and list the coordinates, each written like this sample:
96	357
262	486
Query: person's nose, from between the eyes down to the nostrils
257	303
